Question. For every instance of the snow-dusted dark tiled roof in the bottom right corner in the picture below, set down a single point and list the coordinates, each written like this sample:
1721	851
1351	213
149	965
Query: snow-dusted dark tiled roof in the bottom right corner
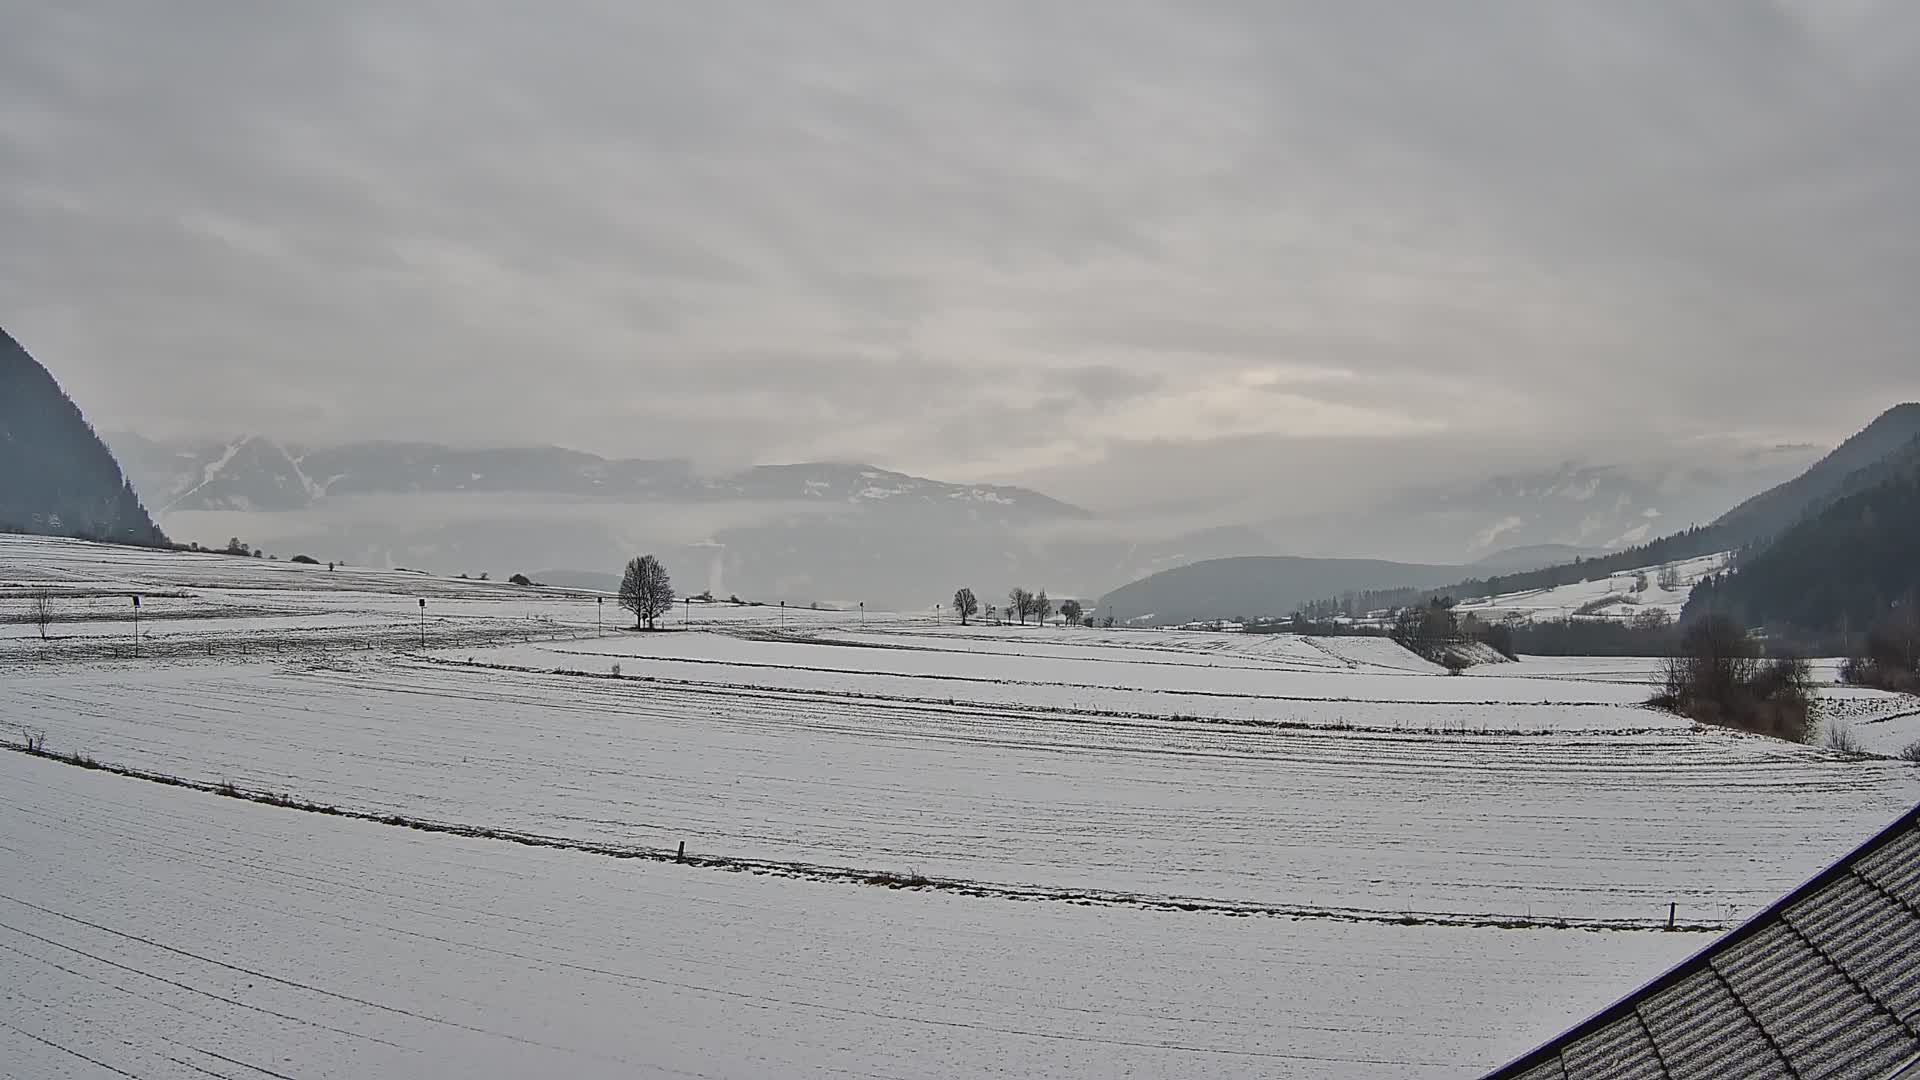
1825	985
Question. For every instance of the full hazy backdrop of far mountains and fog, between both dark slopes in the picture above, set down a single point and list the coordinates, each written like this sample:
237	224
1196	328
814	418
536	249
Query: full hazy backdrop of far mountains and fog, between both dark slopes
848	531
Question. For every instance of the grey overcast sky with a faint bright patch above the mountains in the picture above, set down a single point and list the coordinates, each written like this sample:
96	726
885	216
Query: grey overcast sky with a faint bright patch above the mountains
1090	245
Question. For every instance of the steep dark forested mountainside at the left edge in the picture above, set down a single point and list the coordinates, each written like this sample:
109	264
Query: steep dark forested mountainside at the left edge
57	478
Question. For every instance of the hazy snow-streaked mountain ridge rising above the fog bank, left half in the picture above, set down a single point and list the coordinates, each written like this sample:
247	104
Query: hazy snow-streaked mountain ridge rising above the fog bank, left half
254	474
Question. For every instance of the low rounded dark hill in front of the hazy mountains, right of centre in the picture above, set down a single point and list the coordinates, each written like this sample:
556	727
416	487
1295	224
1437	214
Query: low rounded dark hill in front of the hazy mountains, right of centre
1260	587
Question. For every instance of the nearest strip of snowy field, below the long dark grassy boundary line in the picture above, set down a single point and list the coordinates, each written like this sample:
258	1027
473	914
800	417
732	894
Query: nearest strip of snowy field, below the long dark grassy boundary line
158	933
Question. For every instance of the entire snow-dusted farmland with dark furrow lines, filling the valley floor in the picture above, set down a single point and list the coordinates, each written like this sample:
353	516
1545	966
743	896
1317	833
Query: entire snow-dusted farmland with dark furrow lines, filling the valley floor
1124	850
